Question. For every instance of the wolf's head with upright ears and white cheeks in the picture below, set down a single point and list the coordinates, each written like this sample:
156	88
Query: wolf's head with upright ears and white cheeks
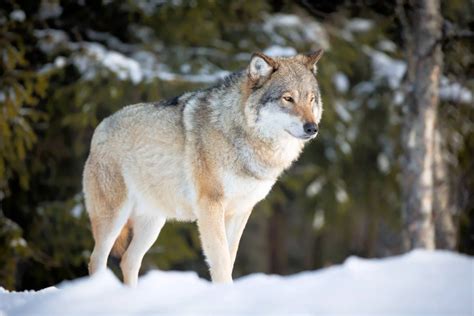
284	97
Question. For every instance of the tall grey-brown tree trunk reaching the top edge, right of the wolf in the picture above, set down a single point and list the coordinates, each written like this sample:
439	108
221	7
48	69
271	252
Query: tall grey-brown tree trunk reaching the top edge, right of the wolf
422	31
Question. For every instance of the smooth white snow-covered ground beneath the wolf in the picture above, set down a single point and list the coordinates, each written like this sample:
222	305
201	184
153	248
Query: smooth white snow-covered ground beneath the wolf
418	283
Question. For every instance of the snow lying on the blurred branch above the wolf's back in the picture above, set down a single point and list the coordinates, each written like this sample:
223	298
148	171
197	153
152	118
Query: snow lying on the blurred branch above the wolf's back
90	57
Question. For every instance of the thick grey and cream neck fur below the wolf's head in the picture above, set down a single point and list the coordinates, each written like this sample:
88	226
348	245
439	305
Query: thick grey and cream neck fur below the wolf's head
260	156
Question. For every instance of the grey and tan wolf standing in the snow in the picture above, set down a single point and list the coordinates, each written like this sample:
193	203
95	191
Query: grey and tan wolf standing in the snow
207	156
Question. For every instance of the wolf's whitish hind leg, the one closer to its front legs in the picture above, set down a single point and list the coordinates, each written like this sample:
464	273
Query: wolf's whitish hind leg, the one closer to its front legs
145	232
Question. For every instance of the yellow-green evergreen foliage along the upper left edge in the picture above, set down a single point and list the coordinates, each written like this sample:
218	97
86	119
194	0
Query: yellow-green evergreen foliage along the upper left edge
20	89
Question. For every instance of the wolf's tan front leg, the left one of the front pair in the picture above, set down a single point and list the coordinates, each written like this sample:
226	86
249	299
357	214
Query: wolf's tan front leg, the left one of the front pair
211	226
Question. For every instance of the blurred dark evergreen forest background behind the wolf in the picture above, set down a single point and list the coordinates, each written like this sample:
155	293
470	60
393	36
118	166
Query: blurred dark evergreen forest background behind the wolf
66	65
